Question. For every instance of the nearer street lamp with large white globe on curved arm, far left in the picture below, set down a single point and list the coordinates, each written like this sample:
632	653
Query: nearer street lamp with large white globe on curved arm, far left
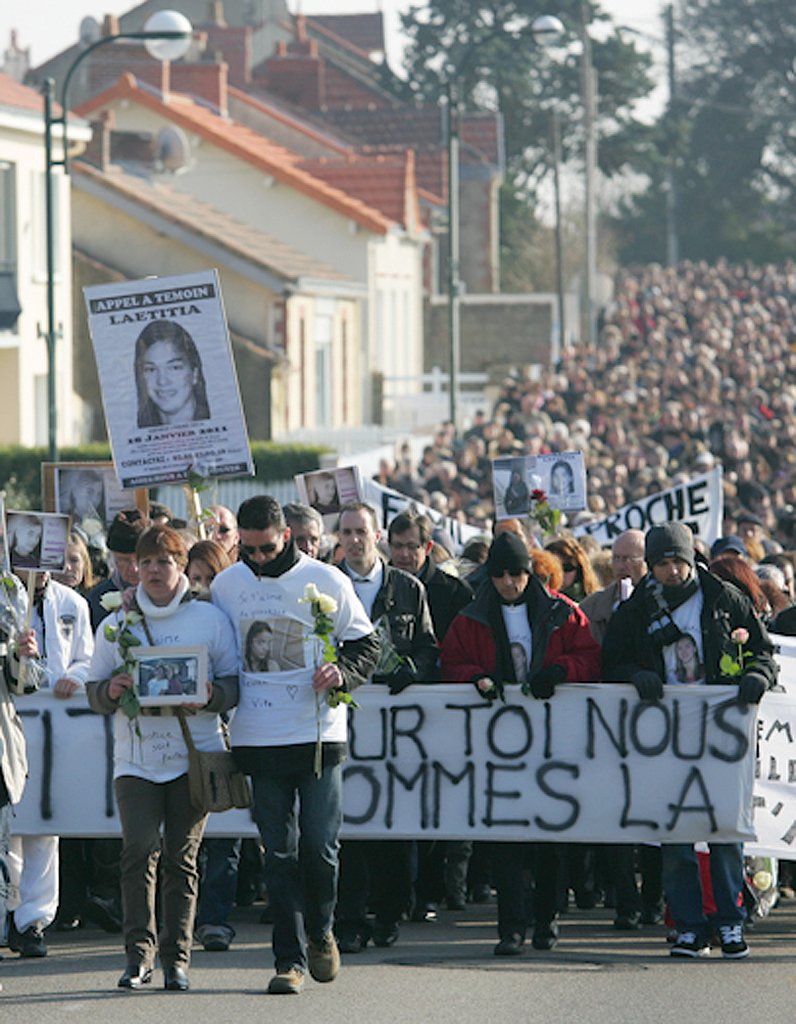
167	36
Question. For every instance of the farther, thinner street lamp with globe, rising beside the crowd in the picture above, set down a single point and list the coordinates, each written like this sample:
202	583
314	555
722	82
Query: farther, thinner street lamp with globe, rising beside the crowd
546	31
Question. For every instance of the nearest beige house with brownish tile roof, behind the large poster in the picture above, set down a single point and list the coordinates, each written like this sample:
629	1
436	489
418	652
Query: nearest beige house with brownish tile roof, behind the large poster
276	296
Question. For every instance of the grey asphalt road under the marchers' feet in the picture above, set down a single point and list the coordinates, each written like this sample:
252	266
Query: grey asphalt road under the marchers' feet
442	973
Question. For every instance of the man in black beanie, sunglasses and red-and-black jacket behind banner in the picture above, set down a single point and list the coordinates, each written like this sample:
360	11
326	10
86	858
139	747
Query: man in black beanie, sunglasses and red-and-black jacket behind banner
517	632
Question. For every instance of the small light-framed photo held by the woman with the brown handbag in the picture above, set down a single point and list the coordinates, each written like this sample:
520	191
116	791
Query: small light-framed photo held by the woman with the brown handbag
172	676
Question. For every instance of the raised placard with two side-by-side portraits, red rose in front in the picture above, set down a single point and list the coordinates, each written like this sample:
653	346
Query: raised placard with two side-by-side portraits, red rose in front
520	482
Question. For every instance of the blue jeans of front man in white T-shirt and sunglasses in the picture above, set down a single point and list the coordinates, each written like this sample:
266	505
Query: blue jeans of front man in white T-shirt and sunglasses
300	819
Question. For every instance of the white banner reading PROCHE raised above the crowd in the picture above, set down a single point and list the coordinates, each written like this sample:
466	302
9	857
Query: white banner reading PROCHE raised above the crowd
698	503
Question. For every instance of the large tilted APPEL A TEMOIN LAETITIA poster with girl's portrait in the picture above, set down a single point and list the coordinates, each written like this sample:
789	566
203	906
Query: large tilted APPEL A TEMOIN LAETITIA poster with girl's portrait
170	337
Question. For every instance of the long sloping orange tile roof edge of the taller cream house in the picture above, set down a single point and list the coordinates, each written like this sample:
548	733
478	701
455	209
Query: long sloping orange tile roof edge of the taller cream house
243	144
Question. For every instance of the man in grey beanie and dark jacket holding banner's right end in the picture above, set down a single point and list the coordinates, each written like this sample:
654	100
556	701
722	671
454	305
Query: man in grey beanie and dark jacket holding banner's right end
677	601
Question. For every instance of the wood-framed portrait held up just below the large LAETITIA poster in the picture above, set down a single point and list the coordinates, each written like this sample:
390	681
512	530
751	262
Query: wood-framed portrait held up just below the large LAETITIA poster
89	493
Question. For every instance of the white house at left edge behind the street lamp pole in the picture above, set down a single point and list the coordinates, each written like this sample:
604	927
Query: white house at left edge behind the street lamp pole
24	366
